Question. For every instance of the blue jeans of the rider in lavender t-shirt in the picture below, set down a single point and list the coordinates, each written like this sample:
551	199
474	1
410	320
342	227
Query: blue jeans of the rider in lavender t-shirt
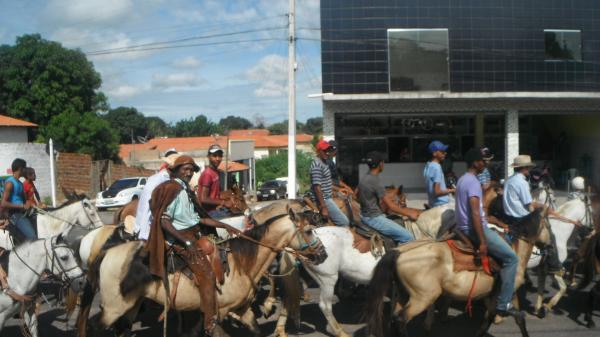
503	253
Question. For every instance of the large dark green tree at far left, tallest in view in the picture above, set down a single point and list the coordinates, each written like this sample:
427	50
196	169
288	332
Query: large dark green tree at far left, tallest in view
40	79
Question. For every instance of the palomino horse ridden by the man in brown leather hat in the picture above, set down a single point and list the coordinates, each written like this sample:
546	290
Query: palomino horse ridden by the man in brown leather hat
248	261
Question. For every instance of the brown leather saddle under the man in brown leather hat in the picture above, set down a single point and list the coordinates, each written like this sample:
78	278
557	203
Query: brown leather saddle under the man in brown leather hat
176	262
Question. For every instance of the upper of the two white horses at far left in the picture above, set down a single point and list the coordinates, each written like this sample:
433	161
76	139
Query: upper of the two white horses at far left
52	221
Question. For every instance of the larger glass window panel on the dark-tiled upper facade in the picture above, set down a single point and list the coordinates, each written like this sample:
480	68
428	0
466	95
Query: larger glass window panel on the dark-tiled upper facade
418	59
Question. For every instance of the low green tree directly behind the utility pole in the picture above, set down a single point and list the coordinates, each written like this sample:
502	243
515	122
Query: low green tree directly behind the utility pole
275	166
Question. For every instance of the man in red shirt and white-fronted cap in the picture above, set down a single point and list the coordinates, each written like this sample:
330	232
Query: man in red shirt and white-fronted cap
209	185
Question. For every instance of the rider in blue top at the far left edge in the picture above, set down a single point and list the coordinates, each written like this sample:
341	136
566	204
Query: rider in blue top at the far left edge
14	203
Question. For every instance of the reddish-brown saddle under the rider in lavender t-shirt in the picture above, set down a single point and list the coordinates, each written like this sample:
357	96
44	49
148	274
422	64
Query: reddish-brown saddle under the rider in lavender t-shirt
465	257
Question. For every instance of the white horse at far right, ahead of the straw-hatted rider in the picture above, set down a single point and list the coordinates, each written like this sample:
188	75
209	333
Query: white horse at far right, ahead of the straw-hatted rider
574	209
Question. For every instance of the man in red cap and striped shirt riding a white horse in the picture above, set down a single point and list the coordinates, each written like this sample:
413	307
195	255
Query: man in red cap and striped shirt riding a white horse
322	186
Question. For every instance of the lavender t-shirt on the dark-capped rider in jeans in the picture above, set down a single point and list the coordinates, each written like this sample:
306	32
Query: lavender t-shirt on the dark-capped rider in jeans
468	186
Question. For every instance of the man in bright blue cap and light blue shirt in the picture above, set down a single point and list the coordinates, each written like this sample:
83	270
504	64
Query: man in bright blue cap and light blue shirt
437	193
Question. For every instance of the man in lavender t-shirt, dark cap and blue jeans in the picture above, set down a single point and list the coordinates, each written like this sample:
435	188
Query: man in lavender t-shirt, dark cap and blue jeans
471	220
